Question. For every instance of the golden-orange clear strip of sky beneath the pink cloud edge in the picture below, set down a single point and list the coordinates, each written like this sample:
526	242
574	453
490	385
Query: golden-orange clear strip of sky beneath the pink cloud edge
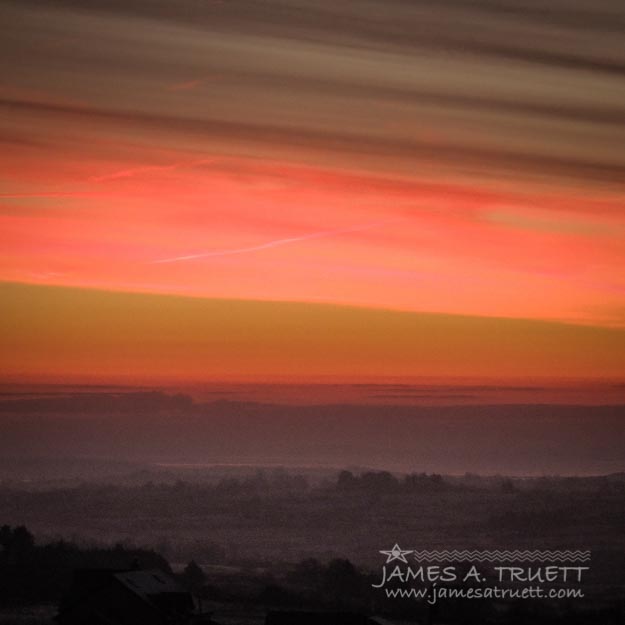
59	334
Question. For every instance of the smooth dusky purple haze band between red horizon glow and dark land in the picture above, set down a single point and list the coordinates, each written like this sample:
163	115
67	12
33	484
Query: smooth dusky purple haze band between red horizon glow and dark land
155	426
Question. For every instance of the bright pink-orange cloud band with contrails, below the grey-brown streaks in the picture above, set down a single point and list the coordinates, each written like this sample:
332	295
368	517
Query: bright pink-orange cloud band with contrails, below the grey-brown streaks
234	228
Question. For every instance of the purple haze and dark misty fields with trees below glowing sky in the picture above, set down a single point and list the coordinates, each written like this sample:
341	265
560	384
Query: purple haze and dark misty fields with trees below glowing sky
282	505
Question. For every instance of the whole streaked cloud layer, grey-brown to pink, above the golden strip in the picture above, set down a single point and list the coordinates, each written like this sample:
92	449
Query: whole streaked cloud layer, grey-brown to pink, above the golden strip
484	138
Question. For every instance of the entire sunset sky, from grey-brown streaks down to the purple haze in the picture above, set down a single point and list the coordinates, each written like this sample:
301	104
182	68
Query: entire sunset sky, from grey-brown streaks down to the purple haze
311	189
